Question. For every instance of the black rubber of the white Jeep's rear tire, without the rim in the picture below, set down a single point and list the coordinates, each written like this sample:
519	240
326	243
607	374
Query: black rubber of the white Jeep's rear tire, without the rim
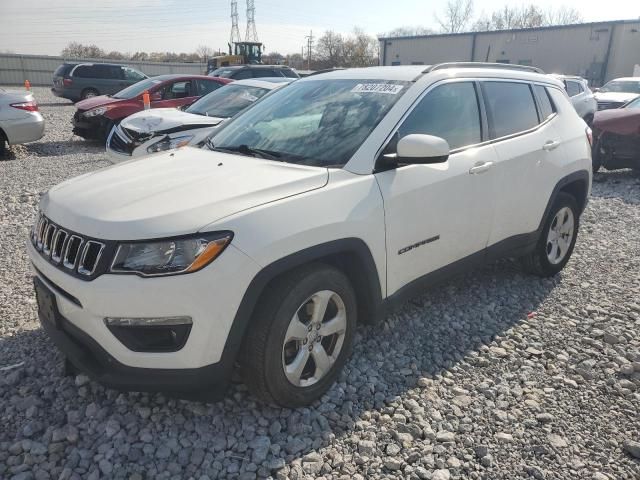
537	262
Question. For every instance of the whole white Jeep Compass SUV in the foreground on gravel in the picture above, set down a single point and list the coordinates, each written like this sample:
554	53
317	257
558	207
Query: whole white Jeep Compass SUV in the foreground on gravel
309	213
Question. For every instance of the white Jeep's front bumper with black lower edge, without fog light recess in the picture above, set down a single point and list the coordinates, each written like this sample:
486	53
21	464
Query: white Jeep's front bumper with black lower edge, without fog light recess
210	297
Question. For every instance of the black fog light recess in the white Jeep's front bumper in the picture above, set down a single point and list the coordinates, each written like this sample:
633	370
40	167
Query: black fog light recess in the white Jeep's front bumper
164	334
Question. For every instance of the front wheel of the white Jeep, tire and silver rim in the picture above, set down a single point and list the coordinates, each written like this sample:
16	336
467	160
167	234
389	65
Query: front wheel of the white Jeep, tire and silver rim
268	362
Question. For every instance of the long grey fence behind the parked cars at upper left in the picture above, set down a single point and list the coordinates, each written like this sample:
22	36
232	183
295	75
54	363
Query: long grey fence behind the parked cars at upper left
38	69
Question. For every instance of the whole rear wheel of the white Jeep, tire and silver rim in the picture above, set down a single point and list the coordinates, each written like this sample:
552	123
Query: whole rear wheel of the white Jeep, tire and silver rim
550	257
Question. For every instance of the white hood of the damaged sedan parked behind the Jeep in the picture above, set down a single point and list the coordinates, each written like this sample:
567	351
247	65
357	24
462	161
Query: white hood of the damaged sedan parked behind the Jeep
161	120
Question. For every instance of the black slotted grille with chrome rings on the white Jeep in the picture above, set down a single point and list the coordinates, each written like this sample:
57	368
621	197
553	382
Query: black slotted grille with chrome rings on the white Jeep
65	249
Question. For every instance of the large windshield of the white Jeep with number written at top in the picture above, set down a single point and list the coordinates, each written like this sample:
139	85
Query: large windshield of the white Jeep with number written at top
319	123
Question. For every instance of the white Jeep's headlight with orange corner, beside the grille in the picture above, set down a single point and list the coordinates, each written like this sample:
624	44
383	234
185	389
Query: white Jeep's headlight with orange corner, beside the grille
171	256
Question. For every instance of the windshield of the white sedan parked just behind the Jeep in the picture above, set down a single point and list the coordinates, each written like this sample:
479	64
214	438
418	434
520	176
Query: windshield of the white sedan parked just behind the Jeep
227	101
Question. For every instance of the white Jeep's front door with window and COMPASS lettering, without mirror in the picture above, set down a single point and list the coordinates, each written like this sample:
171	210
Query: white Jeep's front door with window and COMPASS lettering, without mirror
440	213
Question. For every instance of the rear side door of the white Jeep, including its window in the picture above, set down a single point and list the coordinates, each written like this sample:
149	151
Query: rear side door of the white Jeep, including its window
523	125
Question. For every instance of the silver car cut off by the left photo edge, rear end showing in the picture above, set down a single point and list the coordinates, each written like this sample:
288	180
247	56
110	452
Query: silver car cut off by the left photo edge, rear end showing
20	120
